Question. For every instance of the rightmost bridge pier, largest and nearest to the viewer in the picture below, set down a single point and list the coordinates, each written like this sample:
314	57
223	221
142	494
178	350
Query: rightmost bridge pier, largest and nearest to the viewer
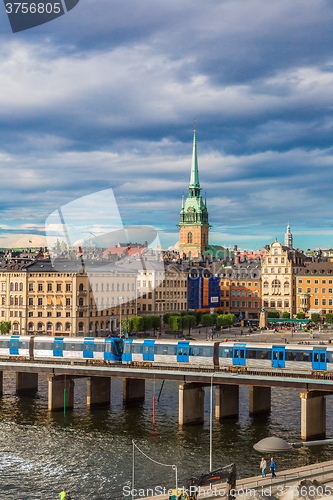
313	414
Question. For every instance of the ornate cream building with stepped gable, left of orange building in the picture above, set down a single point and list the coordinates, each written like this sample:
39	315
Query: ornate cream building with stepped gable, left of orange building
278	277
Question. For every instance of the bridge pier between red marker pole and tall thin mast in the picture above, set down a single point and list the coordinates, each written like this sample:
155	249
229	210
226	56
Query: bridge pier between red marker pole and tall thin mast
191	404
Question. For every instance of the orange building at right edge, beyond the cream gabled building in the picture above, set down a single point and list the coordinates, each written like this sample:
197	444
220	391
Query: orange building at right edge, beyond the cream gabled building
314	293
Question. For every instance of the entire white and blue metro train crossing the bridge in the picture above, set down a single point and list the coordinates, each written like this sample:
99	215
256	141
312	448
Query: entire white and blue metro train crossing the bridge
213	355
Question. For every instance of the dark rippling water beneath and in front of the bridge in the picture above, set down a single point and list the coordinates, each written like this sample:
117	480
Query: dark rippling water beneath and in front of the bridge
90	451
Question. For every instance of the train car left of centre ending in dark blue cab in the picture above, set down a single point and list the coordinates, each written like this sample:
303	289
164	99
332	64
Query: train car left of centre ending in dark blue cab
56	348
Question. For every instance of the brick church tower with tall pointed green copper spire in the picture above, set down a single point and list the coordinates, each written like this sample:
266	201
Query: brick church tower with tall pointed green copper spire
193	226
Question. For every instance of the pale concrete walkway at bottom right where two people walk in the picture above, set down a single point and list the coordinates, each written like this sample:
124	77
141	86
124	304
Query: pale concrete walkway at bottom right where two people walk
322	472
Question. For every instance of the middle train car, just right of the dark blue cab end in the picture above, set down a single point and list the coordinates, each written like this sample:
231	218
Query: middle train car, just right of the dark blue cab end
169	352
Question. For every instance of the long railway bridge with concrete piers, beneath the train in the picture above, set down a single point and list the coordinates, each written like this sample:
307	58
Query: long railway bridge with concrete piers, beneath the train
314	387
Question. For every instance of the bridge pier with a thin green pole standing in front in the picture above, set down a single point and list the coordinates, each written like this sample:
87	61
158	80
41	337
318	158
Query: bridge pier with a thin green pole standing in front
57	385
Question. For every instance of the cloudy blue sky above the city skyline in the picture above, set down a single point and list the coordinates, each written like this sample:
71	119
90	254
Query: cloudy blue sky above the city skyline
105	97
